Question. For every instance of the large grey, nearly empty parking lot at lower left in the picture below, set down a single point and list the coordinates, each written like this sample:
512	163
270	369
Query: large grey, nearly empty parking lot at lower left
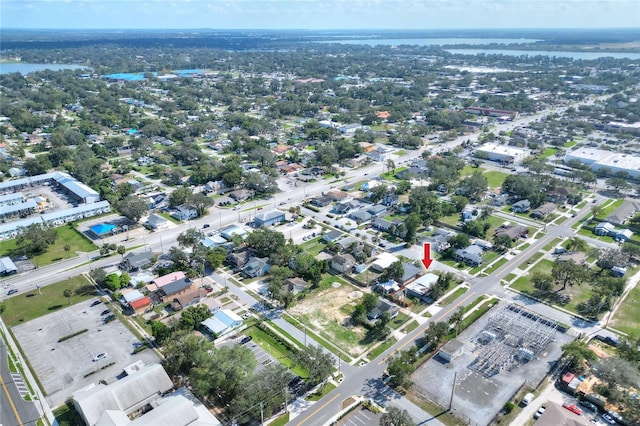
61	366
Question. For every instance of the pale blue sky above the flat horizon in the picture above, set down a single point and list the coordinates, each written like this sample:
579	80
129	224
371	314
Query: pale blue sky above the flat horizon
319	14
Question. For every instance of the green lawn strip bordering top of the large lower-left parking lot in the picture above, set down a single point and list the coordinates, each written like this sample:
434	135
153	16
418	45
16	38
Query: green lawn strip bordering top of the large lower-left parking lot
30	305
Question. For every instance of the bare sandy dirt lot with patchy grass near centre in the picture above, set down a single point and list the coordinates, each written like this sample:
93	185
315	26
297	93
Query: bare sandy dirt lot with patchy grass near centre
322	312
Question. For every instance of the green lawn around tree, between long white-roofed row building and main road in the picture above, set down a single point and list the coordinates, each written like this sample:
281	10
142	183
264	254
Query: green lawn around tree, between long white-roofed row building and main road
66	236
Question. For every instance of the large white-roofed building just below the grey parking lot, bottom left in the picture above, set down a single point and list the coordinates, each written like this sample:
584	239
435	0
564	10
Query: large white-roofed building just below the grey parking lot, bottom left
127	395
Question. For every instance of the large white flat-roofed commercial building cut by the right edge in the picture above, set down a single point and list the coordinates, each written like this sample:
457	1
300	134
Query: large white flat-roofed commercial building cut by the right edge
608	162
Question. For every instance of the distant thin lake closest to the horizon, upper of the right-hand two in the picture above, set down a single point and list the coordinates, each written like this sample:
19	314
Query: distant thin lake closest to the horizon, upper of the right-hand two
429	41
